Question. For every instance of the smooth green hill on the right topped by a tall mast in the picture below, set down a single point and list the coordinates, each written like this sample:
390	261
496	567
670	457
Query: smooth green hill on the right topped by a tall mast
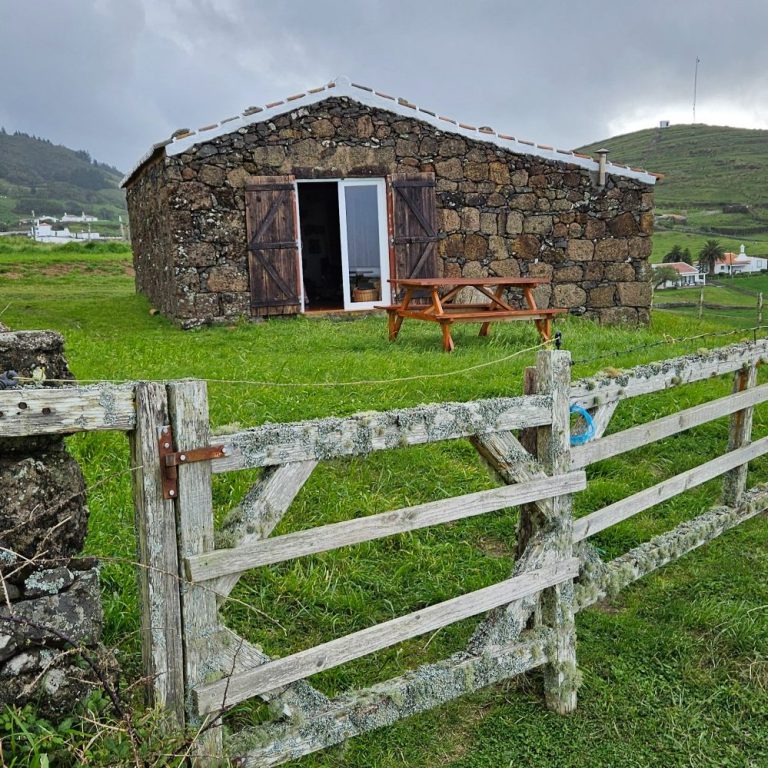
703	165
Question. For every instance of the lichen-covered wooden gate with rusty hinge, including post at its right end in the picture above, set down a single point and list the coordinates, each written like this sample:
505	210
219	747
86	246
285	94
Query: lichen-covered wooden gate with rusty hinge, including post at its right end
221	669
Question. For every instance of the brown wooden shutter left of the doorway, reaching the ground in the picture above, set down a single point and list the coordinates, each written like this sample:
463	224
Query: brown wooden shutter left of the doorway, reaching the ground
273	247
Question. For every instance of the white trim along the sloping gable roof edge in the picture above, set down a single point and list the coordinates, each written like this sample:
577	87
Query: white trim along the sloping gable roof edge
343	87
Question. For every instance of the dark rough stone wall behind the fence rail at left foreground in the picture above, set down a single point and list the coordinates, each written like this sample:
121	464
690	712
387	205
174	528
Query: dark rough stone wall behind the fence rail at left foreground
43	582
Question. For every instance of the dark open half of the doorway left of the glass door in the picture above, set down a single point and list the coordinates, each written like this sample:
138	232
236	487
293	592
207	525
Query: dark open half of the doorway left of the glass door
321	245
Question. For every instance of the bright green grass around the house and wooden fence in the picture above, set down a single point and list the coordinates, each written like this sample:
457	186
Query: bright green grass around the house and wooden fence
675	669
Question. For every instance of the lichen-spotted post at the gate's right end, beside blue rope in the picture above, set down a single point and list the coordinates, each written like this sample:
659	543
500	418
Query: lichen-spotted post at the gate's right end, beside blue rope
553	450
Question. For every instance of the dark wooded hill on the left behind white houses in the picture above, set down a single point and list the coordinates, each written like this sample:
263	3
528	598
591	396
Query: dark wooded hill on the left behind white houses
51	179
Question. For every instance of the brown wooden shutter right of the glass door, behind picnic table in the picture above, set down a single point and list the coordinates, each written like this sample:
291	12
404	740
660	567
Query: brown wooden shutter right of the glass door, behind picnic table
414	224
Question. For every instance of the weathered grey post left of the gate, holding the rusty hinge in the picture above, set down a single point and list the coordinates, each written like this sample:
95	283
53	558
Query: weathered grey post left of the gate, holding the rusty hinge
157	556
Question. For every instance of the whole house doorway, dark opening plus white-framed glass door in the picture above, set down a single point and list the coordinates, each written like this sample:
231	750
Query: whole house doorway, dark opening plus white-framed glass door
344	252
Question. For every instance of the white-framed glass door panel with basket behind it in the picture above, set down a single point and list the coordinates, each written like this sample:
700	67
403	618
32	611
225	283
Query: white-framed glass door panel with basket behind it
364	252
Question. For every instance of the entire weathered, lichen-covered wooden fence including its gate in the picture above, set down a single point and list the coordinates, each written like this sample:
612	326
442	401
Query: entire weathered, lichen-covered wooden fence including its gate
199	668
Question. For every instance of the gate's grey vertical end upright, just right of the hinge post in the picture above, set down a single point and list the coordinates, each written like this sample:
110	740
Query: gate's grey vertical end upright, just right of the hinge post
188	405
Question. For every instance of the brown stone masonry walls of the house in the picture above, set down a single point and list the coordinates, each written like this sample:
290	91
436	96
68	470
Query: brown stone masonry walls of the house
501	213
